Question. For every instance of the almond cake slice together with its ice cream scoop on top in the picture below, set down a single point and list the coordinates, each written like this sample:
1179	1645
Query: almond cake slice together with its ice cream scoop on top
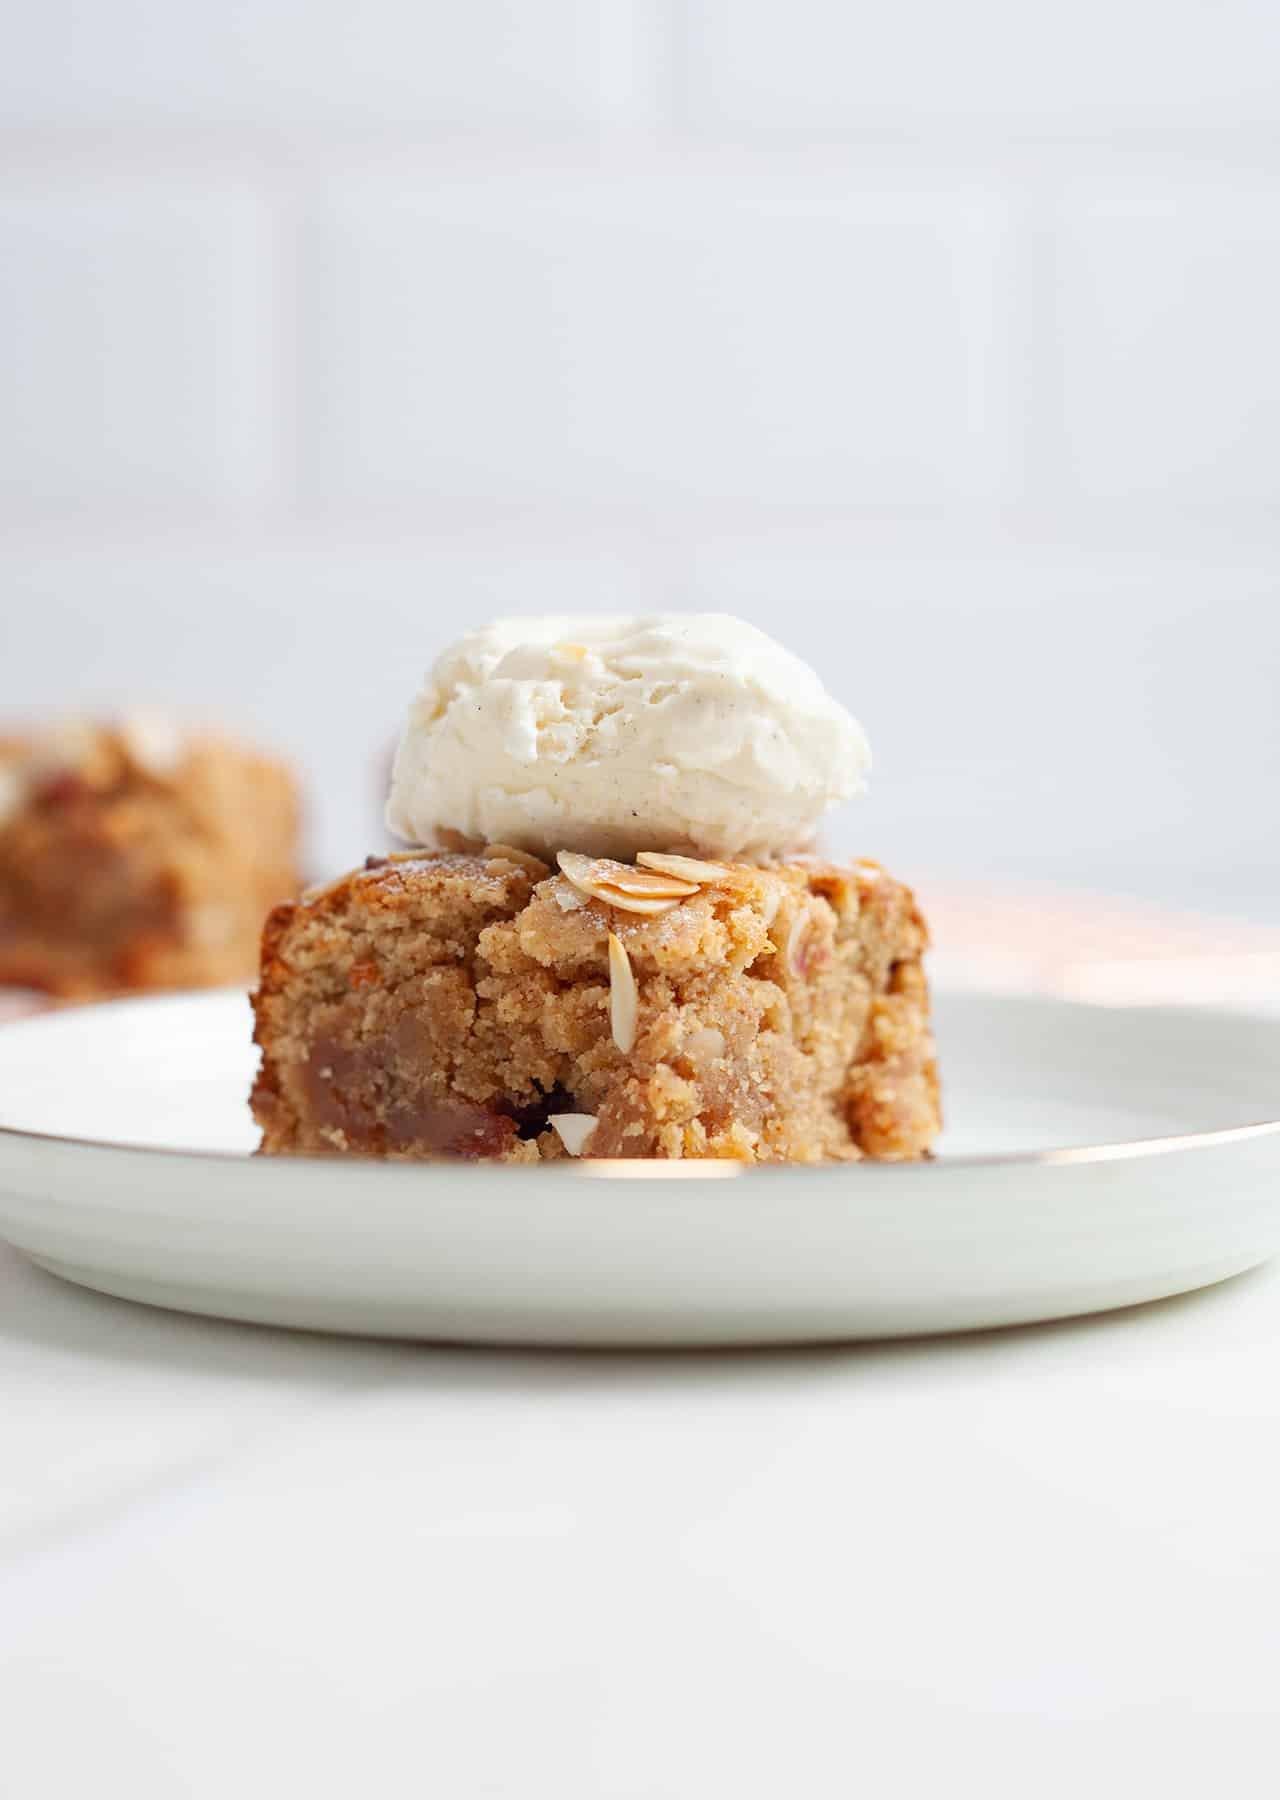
516	991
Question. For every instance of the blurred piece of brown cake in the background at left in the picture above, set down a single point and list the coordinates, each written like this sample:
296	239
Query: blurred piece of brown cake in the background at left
136	856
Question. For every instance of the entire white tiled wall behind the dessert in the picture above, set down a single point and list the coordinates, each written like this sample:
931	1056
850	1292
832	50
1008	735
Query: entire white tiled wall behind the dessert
942	341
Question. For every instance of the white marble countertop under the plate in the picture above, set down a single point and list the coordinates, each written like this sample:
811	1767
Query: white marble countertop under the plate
1045	1561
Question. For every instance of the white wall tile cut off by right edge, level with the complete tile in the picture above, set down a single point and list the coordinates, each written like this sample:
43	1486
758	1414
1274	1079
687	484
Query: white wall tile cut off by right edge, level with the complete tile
1166	307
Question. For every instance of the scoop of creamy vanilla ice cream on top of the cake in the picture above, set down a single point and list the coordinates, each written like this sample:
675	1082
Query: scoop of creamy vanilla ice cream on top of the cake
613	735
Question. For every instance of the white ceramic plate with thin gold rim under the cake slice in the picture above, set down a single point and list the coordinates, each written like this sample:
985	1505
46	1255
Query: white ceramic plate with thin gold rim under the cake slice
1094	1158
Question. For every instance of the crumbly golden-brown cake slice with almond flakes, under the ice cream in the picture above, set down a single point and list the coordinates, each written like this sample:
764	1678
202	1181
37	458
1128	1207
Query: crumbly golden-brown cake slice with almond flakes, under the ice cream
458	1003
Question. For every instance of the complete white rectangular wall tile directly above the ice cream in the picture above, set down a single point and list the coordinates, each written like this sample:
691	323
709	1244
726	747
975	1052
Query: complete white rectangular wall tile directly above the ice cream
777	336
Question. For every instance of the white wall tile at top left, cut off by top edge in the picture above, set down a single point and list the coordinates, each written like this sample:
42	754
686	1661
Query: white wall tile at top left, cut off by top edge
289	62
